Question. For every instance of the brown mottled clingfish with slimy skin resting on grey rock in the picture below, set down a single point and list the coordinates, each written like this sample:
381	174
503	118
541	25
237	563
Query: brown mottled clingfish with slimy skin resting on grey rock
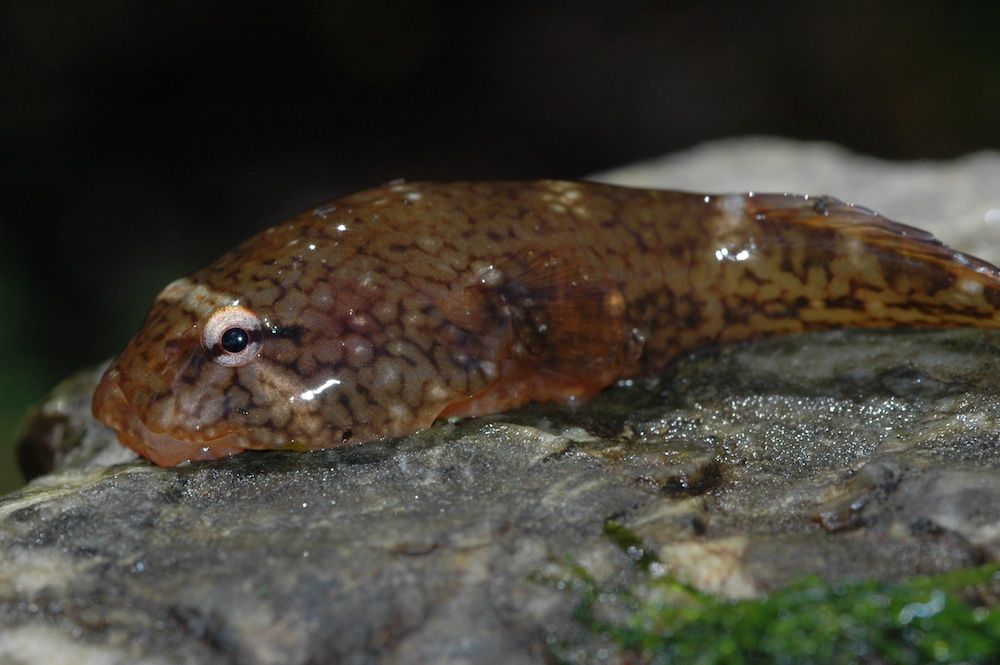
372	316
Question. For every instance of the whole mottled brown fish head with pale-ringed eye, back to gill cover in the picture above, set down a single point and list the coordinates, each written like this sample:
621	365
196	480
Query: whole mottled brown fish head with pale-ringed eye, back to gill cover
271	349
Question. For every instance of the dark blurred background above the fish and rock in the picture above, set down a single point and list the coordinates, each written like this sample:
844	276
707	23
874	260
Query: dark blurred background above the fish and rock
141	139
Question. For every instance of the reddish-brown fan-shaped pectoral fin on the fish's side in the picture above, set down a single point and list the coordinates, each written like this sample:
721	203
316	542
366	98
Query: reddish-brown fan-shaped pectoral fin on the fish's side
564	328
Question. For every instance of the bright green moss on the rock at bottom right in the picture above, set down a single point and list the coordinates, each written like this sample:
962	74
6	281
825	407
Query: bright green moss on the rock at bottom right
945	618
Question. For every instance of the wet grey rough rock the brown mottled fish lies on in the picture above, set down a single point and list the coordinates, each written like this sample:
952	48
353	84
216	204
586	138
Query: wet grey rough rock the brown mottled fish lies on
845	454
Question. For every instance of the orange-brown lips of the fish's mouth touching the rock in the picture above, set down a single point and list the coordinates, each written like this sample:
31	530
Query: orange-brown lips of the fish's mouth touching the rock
111	407
